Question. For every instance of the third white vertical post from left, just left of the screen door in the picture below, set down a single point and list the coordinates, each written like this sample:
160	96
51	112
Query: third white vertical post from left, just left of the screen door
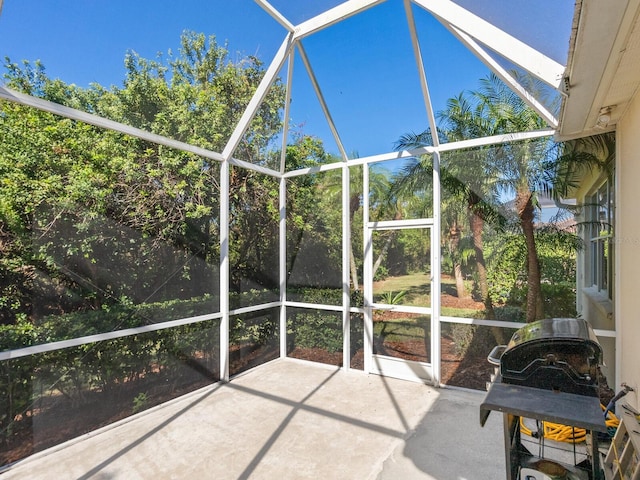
346	270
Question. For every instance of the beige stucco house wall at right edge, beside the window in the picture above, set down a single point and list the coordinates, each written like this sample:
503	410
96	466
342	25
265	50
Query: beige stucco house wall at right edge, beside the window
627	245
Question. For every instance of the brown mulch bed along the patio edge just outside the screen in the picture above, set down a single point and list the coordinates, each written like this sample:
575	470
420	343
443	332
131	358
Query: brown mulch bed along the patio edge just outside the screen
58	420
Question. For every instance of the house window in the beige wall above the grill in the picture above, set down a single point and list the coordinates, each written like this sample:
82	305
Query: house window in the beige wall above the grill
601	218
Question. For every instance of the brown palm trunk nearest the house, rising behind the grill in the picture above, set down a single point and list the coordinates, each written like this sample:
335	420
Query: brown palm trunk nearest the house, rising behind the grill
525	210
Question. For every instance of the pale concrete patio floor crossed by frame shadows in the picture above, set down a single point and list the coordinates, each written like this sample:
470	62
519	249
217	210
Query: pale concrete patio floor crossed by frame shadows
290	420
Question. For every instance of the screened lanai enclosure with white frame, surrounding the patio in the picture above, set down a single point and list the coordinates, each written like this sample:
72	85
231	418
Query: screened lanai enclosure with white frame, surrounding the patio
190	192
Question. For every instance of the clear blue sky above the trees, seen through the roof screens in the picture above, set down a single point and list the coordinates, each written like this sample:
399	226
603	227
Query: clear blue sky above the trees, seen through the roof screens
365	65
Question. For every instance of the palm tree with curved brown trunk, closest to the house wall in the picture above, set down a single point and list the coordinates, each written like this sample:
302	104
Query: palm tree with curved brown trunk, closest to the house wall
531	168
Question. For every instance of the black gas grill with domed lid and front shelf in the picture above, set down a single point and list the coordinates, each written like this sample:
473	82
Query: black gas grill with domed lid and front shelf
547	372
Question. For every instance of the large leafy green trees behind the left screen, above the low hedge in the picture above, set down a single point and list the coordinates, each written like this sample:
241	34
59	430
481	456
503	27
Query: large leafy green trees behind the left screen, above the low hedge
91	217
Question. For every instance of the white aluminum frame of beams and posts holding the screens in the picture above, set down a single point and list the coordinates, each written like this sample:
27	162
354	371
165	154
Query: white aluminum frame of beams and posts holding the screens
473	32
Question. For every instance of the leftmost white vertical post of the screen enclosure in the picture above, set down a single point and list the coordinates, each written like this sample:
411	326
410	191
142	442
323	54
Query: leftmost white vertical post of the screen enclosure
224	271
